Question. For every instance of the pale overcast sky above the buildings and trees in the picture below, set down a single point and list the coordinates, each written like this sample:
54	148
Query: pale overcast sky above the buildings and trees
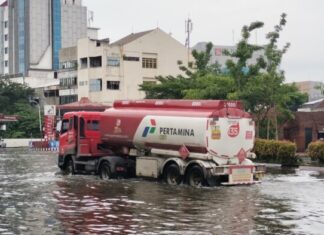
220	21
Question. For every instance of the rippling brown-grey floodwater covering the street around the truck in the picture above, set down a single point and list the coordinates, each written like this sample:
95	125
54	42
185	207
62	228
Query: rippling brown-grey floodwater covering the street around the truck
36	199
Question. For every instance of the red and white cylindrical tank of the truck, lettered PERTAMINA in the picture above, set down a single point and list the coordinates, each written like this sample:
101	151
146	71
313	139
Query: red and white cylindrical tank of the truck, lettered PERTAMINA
219	128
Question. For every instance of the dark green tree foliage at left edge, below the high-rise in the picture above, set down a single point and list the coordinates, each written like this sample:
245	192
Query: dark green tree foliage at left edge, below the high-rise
14	100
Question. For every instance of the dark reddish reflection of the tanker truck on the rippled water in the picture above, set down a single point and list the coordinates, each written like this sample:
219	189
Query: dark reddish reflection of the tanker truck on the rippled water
141	206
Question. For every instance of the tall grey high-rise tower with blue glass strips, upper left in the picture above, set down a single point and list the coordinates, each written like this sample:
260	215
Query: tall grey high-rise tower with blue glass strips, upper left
33	31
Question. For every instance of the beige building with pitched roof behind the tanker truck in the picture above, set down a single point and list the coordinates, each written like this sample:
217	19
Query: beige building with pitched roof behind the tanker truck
110	71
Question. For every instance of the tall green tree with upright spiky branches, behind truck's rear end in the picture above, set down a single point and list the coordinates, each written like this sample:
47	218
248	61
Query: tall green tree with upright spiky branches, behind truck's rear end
261	86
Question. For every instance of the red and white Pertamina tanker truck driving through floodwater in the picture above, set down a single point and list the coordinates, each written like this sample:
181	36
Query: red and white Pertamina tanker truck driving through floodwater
196	142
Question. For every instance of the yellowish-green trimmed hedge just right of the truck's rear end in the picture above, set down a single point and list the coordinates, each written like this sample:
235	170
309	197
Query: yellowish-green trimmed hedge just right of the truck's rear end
272	151
